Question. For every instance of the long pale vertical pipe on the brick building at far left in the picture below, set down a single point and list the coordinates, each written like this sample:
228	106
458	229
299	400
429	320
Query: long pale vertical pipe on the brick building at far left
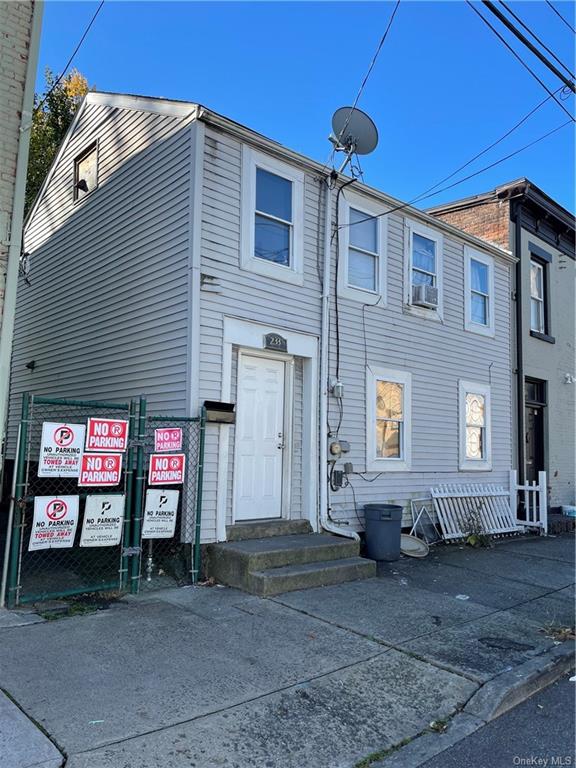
7	330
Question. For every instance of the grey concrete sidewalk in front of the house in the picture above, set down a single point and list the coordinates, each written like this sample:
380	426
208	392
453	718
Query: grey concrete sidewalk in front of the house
332	677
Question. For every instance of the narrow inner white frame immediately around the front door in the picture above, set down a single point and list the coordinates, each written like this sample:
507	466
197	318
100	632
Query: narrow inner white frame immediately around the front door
287	428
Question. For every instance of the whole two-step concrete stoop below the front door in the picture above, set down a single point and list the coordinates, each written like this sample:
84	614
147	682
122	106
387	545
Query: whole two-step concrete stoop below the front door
272	565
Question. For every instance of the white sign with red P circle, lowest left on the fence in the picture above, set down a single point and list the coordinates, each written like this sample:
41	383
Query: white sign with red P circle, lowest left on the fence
54	524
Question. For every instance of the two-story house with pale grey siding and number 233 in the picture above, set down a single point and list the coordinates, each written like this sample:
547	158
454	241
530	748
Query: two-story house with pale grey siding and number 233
176	253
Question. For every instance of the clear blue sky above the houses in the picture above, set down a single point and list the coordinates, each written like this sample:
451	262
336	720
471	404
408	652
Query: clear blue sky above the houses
442	89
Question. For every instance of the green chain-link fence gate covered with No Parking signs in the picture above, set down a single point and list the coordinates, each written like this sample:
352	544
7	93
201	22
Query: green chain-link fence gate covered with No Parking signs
86	519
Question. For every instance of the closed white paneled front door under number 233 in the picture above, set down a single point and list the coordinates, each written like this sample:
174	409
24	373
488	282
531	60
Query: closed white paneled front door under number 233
259	438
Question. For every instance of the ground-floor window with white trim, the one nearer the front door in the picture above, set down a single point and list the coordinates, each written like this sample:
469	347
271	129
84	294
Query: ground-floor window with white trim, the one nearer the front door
388	420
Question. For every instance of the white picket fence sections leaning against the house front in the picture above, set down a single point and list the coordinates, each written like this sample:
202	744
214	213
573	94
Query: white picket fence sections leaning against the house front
491	509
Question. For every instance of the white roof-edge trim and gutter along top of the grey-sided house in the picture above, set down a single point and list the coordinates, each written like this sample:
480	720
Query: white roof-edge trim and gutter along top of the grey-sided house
186	109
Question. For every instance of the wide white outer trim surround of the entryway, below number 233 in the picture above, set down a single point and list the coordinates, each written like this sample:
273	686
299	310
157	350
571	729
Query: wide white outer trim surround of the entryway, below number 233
250	336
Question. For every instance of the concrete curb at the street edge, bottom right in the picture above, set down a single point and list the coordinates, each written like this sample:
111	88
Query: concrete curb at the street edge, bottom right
491	700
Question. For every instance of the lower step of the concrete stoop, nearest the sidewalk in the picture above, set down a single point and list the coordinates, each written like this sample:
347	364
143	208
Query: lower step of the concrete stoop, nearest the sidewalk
274	581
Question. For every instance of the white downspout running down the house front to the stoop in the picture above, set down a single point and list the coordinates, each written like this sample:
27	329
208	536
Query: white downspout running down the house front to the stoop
325	522
